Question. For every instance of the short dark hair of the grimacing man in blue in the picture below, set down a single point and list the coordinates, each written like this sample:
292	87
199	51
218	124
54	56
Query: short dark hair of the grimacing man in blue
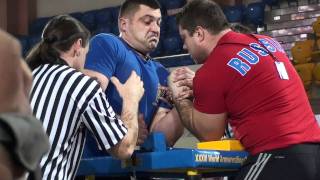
131	6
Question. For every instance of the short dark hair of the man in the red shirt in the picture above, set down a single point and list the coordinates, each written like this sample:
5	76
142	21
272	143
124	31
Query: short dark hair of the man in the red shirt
205	13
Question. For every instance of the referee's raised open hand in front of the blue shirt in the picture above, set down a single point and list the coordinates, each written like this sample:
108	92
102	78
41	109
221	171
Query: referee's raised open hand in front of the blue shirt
132	89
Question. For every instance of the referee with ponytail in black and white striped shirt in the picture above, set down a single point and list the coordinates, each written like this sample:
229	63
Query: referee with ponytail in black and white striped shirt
68	102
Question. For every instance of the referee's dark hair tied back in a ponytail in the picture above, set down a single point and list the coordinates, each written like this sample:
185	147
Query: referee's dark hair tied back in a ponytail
59	35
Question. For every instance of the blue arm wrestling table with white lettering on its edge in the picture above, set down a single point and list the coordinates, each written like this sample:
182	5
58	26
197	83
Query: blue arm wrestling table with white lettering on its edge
155	159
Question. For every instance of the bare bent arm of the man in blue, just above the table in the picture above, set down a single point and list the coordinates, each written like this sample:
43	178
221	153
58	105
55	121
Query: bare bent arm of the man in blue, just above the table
167	121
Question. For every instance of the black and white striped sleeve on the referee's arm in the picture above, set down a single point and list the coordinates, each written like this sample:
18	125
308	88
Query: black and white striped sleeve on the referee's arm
103	123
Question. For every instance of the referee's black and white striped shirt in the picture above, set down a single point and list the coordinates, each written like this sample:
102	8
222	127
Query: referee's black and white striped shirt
67	102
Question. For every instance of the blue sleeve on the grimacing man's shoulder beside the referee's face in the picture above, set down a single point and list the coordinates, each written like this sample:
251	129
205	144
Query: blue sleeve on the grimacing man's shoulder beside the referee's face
102	56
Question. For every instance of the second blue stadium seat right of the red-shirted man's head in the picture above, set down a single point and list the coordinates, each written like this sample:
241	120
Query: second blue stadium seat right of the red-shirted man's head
255	13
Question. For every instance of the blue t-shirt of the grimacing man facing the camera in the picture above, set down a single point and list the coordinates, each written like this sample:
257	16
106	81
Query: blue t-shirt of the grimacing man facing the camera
111	56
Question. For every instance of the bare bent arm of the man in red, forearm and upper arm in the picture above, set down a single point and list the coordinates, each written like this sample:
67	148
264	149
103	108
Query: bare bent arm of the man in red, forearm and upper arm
206	127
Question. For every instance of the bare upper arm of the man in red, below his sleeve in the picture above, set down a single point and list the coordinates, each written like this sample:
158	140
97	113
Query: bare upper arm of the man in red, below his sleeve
209	127
